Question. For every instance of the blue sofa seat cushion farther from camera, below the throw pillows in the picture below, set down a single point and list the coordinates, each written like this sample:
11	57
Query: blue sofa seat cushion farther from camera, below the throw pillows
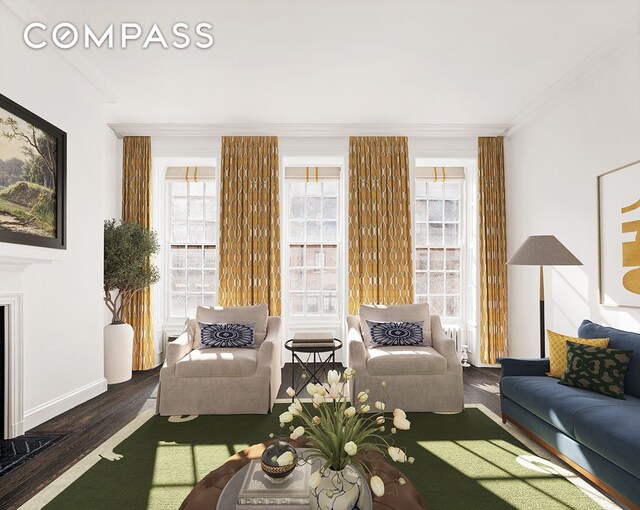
554	403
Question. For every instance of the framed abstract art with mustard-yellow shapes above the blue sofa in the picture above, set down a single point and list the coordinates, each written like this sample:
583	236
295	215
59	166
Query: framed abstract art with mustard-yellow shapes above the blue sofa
619	232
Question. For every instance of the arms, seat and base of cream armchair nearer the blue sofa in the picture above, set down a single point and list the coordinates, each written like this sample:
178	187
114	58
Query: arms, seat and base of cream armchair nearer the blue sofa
417	378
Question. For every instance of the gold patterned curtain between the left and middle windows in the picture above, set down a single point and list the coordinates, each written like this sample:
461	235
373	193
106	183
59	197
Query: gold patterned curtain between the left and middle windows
250	222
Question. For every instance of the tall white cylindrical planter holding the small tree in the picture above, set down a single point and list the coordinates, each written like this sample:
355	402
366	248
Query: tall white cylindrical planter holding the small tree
118	352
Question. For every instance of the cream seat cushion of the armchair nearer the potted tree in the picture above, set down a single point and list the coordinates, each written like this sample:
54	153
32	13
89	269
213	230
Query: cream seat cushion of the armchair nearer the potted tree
218	363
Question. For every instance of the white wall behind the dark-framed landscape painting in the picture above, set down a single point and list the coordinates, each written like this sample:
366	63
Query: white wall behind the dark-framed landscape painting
63	309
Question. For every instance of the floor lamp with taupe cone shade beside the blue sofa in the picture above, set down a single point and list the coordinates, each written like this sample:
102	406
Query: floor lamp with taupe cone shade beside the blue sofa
543	251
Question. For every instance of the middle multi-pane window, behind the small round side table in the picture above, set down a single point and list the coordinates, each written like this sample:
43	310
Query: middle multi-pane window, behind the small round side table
313	247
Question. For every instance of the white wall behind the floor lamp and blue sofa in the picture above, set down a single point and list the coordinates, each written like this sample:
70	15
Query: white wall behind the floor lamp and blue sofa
552	164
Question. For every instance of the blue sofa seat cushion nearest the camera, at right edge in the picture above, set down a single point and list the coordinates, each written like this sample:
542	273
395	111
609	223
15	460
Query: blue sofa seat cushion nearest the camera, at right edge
613	432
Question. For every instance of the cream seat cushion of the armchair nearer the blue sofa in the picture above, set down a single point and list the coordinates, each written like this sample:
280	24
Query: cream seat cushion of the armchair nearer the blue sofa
405	361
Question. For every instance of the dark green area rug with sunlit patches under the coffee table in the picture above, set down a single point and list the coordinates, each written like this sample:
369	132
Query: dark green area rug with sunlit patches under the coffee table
463	461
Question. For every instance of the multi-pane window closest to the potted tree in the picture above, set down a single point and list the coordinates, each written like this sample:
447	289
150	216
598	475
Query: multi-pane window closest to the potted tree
192	238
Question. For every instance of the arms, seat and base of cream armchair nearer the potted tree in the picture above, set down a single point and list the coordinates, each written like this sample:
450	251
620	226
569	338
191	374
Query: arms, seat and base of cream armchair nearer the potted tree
220	381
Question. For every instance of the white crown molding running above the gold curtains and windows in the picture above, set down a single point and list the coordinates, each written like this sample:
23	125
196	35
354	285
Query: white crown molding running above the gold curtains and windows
309	130
